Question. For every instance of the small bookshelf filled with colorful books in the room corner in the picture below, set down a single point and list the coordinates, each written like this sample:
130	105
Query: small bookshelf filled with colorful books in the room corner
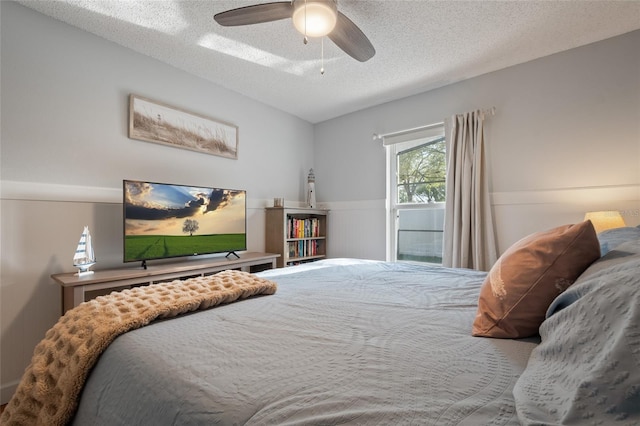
298	234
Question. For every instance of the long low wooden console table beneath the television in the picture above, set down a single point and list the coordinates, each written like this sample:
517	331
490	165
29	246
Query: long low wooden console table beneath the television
75	287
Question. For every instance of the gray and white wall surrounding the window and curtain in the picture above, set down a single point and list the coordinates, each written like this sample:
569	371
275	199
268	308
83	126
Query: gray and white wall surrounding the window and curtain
565	140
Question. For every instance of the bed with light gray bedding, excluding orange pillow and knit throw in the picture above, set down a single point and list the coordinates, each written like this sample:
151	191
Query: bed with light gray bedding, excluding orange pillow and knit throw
346	341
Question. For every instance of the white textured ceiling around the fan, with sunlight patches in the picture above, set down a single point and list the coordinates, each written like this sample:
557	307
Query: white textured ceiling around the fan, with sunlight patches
420	45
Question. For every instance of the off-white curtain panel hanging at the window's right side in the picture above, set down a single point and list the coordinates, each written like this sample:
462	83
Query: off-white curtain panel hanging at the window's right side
469	239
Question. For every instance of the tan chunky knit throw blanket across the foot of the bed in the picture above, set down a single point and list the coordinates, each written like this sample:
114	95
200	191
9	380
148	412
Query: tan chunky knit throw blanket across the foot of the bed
51	385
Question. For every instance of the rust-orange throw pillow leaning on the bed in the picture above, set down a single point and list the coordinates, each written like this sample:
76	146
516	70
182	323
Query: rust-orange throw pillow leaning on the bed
524	281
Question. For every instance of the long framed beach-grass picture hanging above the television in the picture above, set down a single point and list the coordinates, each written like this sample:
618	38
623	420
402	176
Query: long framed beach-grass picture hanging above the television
153	121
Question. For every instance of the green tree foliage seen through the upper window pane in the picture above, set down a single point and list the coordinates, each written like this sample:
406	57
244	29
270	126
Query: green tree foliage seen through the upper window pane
421	173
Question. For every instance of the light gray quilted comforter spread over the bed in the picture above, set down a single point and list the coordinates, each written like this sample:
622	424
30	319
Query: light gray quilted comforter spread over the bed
341	342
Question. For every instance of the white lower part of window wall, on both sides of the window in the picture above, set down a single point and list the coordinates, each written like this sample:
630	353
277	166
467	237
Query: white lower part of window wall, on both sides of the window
358	228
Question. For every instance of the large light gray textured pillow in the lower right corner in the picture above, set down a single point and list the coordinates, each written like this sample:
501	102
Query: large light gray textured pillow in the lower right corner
585	370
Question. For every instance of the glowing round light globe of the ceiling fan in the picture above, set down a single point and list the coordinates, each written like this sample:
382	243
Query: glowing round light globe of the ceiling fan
315	18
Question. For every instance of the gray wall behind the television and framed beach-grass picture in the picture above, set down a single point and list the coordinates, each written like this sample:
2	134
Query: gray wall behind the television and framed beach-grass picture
65	152
